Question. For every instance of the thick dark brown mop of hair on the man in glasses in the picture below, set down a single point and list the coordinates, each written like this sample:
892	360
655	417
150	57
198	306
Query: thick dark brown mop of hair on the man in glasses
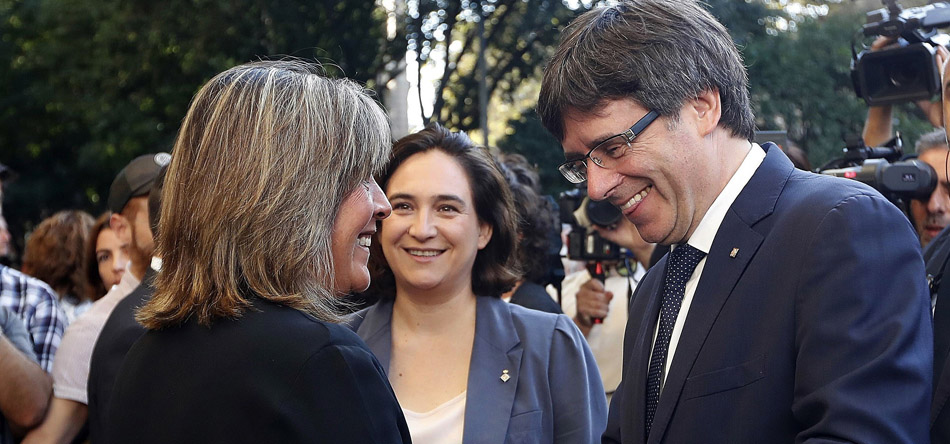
659	53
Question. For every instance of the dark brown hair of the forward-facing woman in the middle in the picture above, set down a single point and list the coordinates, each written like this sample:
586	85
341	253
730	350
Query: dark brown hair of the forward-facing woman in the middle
495	270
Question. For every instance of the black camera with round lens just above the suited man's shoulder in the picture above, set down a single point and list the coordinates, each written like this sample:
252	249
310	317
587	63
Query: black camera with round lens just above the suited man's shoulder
881	168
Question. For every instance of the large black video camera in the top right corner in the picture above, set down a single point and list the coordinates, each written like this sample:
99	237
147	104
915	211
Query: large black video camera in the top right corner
907	71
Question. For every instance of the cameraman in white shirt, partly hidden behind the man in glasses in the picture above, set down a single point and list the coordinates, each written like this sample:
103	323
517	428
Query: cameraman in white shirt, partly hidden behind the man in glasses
585	299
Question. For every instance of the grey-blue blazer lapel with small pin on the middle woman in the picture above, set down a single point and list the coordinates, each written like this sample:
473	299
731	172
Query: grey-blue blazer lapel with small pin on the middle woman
497	348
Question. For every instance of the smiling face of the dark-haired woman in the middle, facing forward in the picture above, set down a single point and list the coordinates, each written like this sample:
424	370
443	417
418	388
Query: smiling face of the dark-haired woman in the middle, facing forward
432	238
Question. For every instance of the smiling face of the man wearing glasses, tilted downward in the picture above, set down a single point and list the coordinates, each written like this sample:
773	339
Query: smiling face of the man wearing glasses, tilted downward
662	183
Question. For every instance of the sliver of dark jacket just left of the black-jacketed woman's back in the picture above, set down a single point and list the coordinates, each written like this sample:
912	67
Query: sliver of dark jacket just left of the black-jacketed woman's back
116	338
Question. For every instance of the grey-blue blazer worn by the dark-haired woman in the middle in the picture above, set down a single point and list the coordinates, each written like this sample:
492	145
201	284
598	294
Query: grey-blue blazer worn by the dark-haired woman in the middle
554	393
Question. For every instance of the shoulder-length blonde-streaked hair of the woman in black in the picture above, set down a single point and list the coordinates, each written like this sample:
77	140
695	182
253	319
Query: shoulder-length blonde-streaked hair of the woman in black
262	162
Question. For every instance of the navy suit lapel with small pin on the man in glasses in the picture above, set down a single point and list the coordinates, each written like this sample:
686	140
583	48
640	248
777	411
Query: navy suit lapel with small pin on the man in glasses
721	274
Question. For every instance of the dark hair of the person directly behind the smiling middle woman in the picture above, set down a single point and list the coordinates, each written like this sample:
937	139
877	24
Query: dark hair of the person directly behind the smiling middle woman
536	219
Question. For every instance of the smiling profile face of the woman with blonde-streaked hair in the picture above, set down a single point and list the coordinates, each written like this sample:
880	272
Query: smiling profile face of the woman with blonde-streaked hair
352	230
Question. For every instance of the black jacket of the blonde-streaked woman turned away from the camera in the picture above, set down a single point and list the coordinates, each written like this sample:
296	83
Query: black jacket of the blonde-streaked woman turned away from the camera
276	375
